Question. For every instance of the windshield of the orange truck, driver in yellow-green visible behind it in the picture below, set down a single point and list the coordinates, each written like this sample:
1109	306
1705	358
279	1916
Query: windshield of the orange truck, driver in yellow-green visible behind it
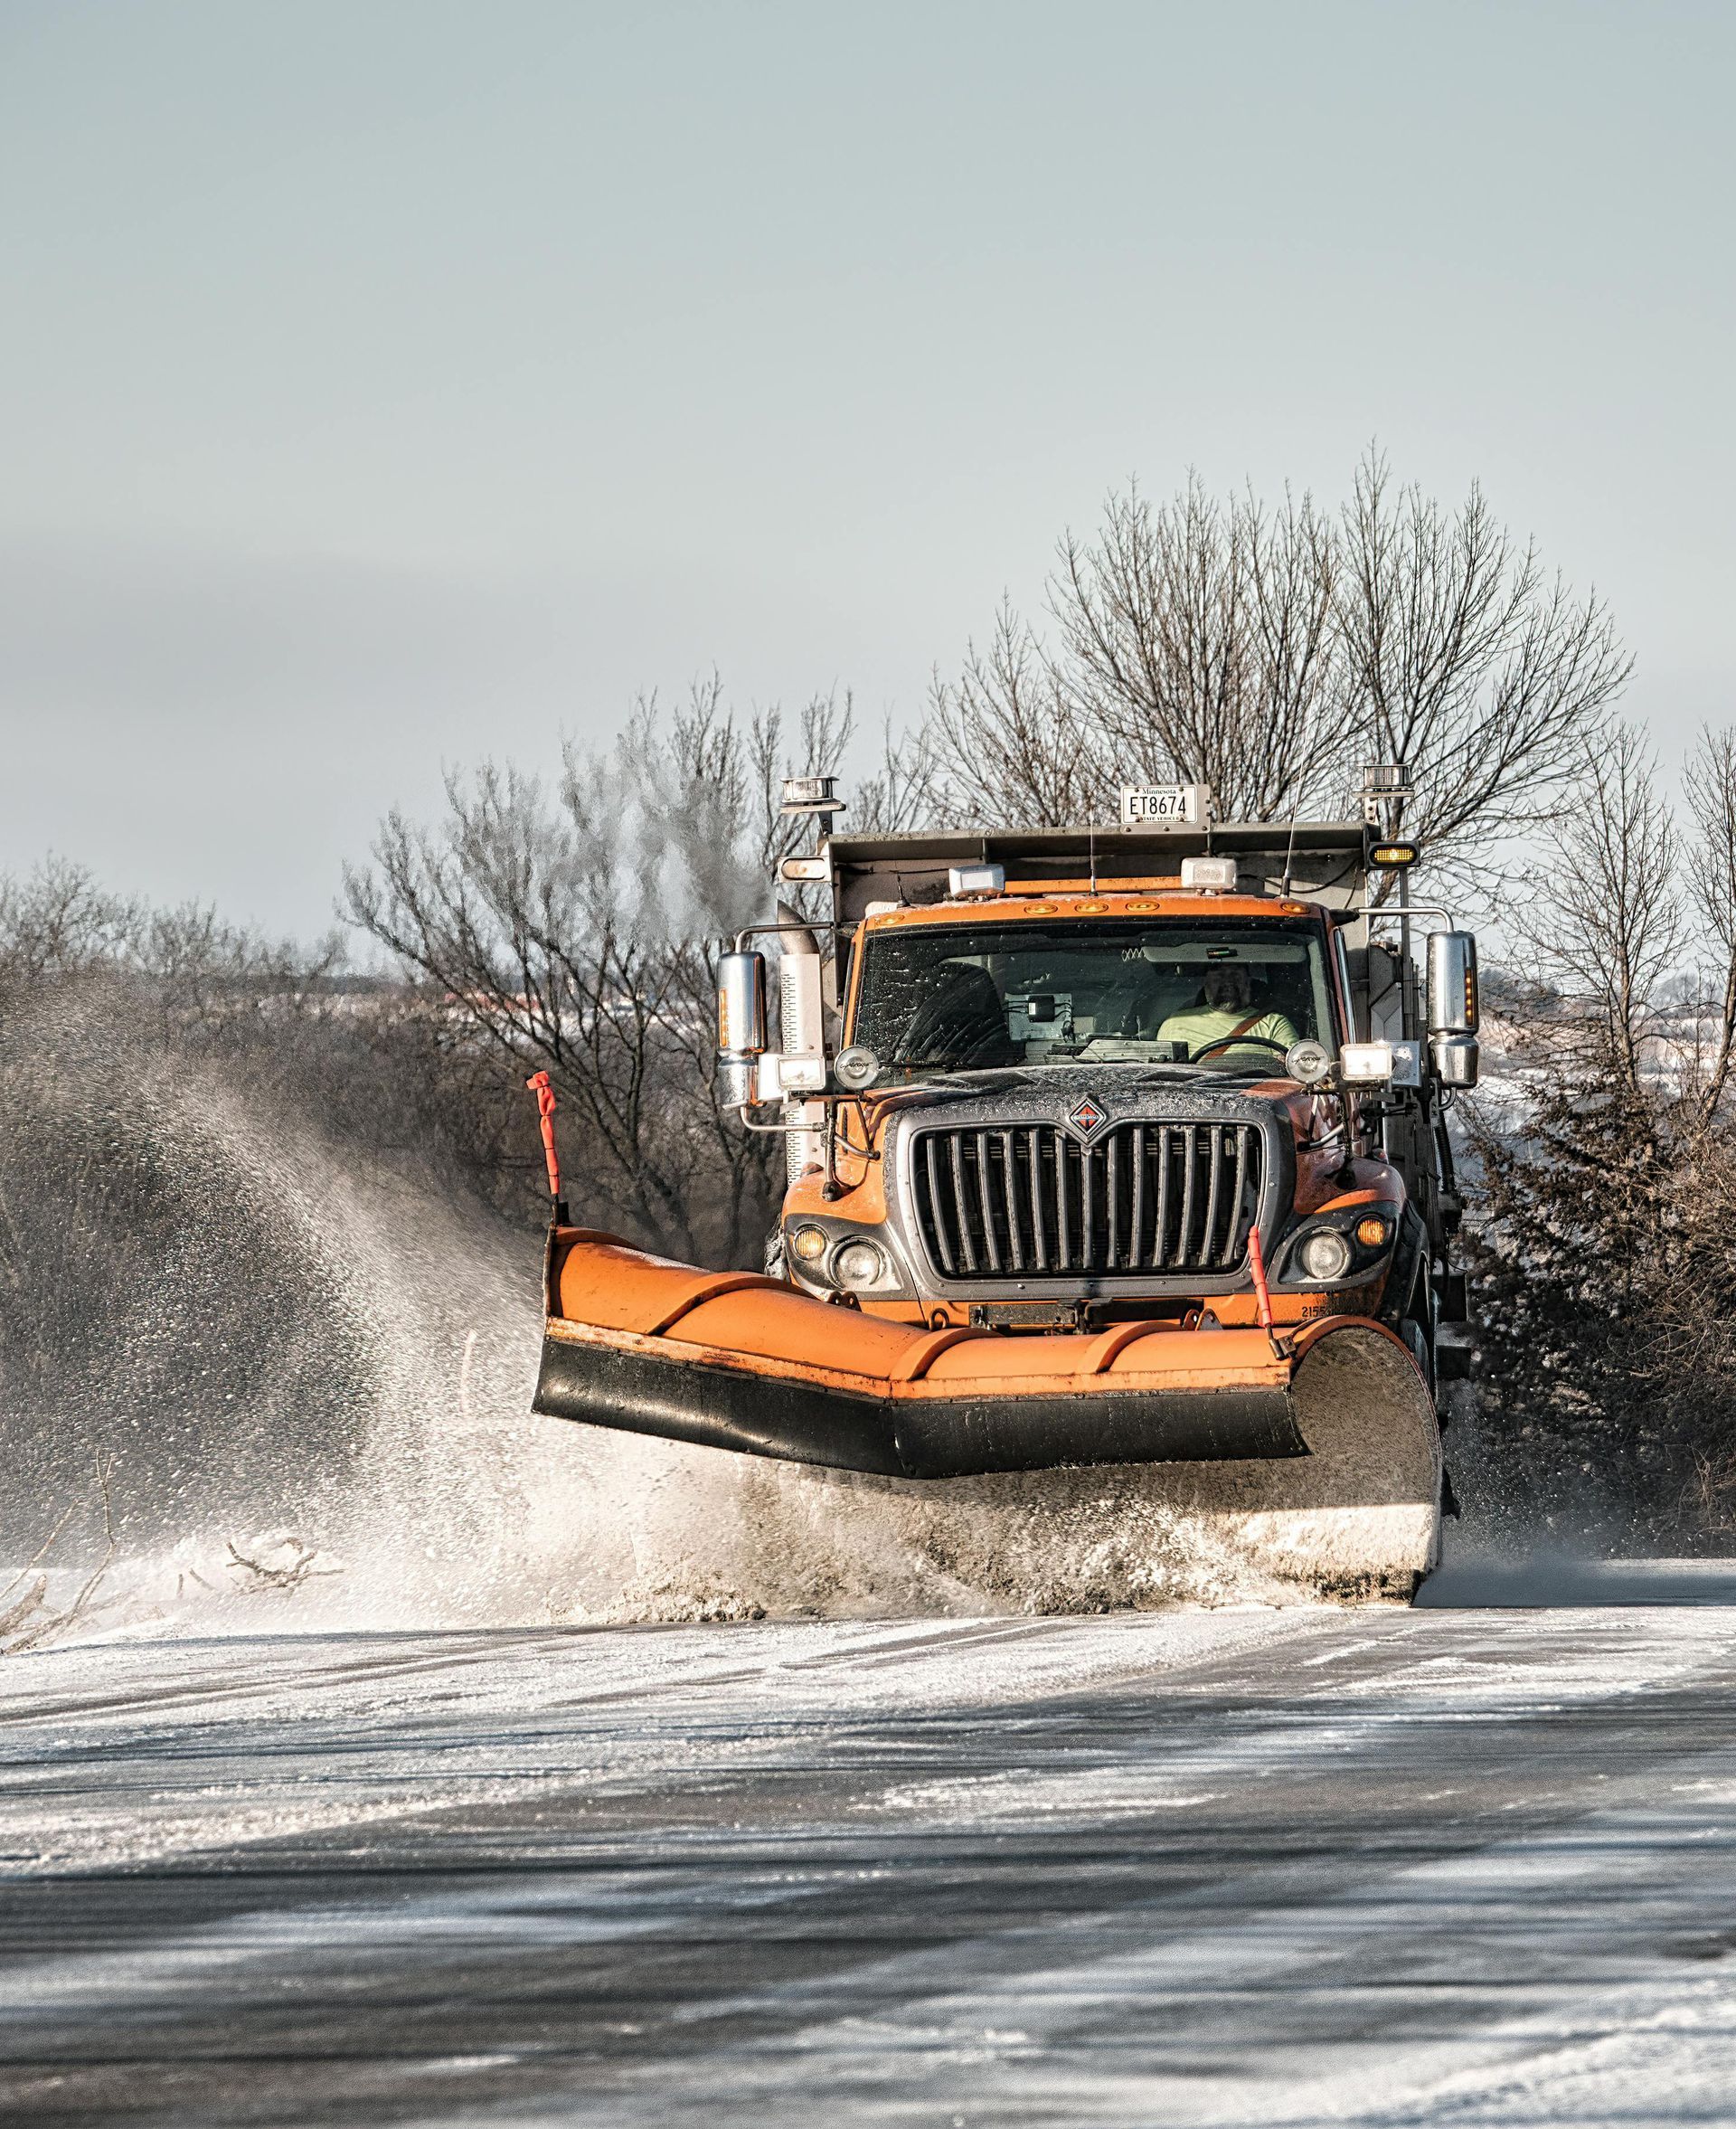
1214	997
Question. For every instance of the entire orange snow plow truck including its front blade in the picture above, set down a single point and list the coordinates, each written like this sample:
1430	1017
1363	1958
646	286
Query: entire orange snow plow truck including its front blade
1105	1146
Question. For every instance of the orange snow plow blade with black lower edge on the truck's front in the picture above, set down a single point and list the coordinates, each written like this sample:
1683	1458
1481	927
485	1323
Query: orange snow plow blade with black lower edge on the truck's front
1322	1447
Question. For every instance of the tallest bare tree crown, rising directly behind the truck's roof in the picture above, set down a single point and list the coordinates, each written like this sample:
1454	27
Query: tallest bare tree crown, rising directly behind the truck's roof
1273	653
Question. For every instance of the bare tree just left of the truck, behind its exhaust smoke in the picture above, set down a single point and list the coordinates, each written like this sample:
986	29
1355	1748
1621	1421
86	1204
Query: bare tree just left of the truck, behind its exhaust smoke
571	929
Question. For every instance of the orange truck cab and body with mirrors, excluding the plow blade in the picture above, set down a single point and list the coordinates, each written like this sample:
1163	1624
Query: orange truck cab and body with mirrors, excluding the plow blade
1056	1080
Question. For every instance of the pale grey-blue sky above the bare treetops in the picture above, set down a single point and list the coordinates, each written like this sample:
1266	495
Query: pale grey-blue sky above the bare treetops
397	384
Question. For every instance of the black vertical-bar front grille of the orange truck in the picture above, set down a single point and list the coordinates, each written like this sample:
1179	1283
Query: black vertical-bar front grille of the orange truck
1031	1200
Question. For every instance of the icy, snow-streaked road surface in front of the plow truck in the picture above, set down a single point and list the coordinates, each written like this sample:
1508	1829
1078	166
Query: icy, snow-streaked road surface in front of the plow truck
1301	1866
